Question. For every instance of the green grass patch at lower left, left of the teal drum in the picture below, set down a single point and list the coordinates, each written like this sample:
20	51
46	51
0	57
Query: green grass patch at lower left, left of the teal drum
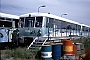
18	54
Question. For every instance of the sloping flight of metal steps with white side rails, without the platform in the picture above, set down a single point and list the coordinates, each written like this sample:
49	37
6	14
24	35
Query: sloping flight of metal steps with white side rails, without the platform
37	43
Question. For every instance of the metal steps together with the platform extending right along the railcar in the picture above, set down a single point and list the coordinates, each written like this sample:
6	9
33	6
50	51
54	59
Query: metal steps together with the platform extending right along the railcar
39	41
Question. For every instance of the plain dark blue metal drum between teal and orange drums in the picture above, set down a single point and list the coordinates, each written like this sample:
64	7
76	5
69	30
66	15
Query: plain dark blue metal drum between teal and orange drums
56	51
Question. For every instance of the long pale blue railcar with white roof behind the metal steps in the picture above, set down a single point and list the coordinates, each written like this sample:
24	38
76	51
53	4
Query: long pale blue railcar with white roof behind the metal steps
34	25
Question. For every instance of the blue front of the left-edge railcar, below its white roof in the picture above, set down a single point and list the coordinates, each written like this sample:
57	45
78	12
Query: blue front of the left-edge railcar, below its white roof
6	32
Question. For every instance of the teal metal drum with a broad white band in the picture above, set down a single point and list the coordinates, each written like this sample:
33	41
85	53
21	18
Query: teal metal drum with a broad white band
46	52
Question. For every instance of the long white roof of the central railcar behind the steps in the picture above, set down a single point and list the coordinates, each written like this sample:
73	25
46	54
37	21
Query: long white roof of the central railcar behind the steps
49	15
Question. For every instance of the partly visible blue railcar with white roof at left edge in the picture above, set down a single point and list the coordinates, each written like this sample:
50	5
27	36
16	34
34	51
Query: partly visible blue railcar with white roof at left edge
8	23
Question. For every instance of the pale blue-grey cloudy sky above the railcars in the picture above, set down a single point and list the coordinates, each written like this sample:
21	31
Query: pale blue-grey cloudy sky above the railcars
77	10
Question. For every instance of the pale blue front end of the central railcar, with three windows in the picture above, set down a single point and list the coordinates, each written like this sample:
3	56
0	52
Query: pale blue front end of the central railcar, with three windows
30	27
